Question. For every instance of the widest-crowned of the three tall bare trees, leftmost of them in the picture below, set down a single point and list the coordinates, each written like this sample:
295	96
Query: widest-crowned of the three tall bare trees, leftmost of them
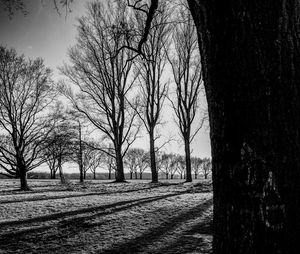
103	76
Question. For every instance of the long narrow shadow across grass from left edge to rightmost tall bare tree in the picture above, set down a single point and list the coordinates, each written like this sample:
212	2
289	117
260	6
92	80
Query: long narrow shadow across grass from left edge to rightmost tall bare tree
118	206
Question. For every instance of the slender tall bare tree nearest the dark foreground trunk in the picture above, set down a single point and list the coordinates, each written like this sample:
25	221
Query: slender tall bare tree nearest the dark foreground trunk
186	68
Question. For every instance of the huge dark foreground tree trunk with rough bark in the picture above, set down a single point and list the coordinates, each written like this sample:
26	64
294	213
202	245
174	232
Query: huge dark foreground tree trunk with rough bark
250	55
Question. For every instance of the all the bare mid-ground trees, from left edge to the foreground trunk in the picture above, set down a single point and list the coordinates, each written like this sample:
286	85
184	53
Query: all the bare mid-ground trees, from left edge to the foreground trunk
109	87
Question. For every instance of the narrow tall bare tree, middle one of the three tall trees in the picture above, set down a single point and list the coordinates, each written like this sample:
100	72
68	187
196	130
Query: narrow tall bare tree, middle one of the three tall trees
153	89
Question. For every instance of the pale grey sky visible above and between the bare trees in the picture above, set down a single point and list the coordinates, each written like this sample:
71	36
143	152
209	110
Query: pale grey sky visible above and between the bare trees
44	33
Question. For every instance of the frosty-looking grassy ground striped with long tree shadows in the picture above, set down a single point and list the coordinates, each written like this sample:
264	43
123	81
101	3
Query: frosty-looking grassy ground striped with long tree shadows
102	217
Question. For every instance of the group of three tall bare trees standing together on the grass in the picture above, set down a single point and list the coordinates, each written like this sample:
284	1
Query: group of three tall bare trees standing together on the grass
118	90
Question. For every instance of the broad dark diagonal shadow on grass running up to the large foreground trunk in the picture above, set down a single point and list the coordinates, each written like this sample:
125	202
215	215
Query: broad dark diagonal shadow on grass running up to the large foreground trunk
138	244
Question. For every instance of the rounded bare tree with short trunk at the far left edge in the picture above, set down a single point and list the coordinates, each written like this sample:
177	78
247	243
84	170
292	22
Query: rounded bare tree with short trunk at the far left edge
25	94
